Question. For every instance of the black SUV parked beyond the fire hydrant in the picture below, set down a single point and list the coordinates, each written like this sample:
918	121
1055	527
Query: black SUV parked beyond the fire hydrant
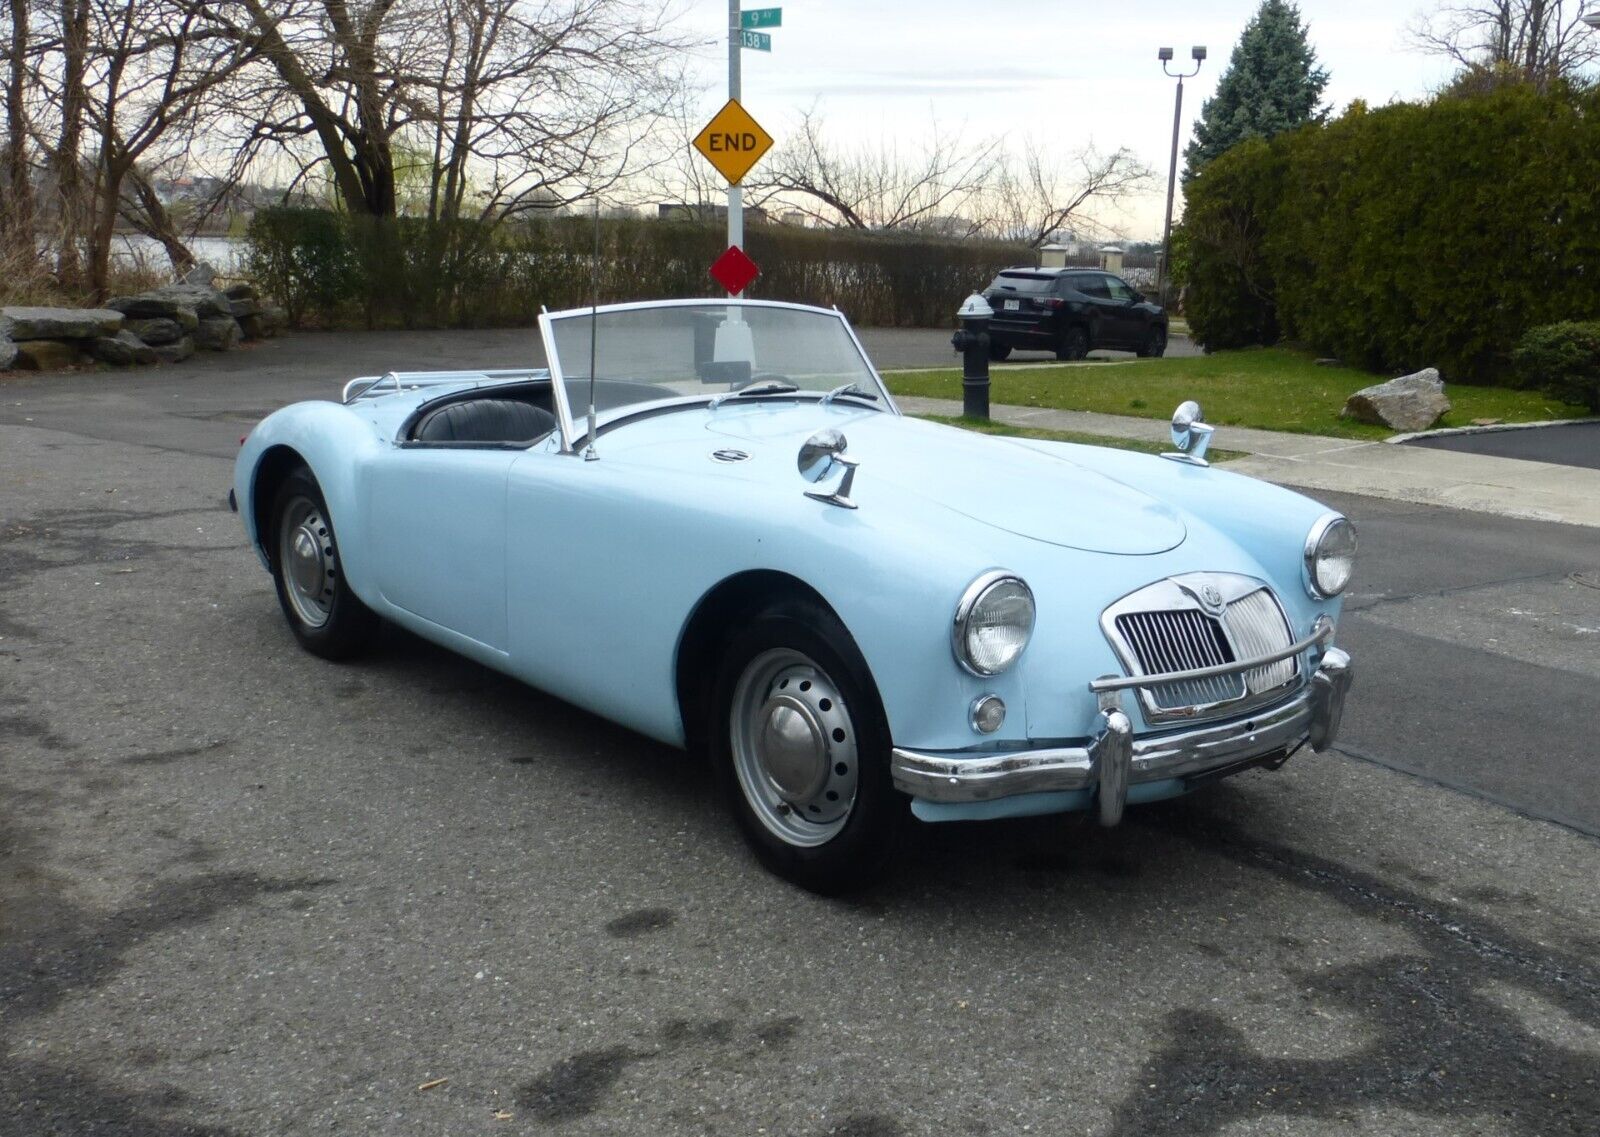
1071	313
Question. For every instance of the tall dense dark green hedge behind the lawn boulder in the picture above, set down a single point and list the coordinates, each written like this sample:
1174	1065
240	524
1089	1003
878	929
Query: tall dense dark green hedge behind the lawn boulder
1414	236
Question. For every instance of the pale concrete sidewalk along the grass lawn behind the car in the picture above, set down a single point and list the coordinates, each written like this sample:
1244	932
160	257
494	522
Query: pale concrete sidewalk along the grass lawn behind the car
1412	474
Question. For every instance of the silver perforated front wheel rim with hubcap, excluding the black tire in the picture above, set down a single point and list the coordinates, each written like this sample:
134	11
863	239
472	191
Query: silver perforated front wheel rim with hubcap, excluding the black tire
794	748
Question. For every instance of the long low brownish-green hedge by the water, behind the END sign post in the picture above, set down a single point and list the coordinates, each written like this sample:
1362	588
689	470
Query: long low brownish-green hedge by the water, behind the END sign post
332	269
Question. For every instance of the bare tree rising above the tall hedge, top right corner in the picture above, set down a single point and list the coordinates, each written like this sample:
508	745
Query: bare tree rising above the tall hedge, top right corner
1535	41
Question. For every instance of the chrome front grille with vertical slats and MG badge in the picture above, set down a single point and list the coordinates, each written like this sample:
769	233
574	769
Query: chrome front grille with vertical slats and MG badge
1164	628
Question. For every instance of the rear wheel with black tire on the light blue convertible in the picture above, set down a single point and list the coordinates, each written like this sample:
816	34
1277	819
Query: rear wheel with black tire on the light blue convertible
326	616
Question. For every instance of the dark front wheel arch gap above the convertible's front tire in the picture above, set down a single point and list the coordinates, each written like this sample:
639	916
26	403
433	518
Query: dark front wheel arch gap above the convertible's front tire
710	628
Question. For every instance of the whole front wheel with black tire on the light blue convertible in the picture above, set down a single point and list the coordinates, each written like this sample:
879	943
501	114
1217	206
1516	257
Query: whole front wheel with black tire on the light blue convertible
836	820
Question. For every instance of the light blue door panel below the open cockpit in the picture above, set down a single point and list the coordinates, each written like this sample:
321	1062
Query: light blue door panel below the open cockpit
439	530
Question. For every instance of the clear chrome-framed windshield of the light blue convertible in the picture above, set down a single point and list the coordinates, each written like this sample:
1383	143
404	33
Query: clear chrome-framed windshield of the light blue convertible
657	353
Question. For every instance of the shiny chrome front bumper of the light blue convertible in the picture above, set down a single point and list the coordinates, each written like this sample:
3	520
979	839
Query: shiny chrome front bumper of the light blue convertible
953	778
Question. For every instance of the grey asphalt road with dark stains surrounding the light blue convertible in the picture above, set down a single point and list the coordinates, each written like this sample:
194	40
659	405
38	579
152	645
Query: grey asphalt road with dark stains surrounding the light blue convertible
244	892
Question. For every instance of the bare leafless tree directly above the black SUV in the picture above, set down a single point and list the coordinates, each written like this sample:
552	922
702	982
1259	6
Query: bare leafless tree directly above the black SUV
1041	194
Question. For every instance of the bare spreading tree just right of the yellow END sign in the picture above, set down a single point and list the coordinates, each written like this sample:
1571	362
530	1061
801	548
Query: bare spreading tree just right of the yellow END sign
874	188
